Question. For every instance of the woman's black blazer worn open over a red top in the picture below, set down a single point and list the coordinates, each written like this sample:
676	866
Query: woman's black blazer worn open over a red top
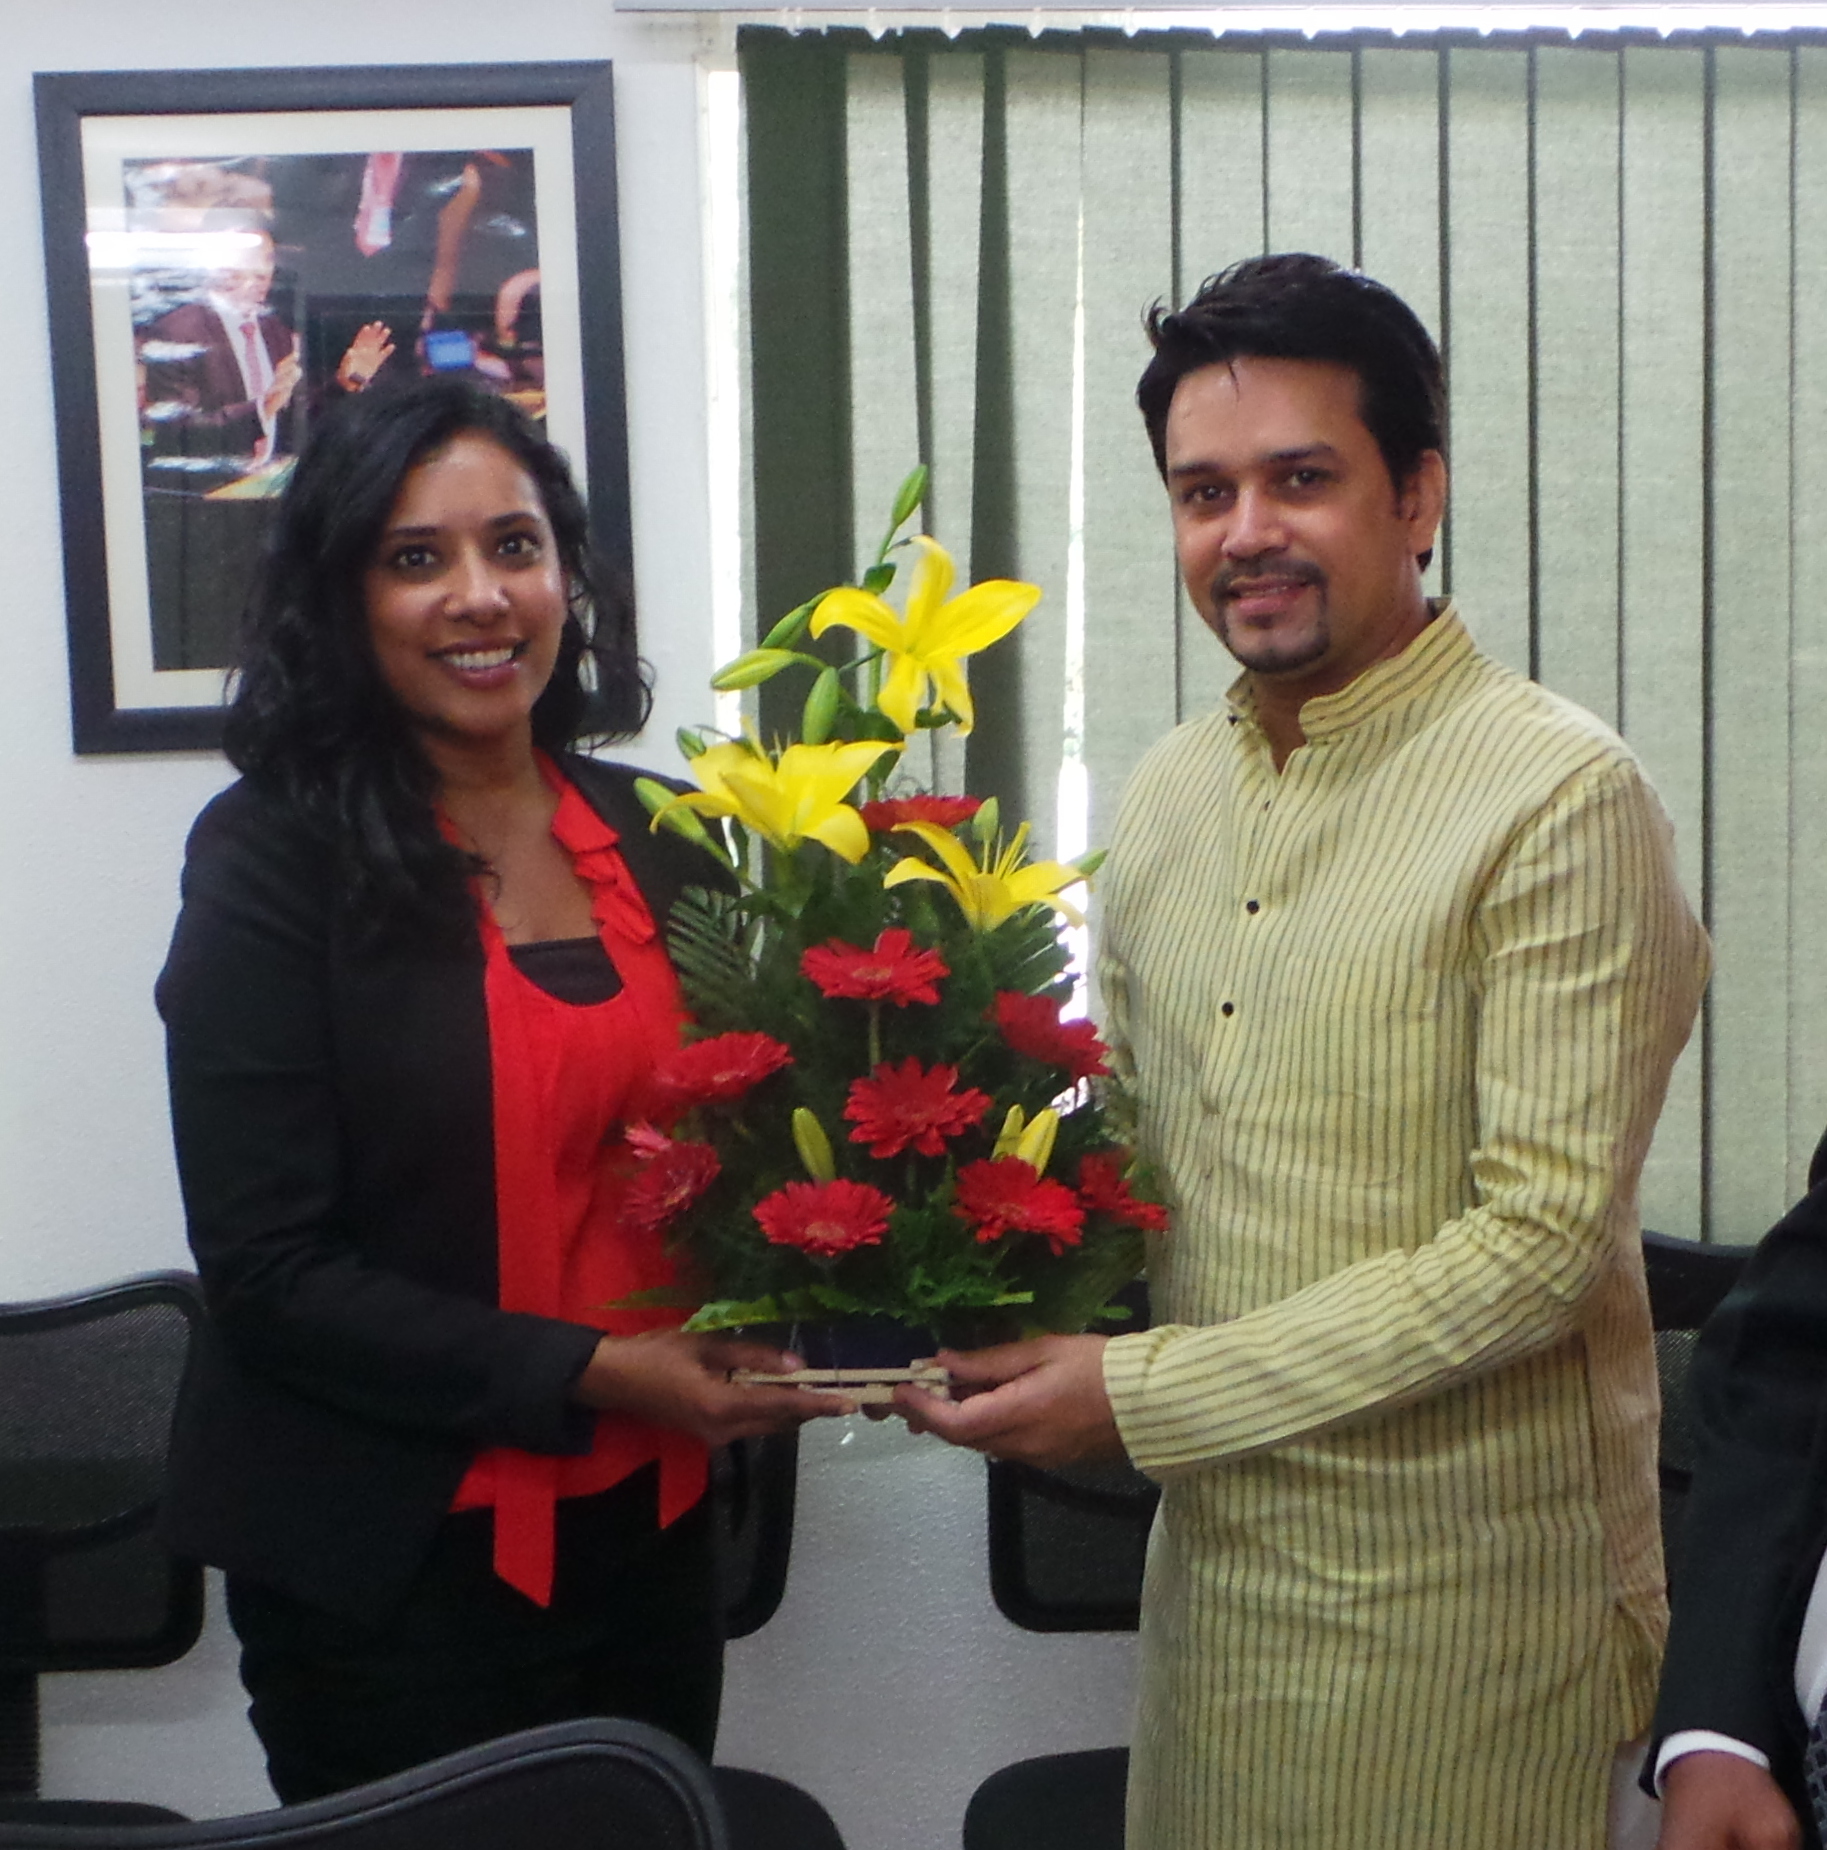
332	1111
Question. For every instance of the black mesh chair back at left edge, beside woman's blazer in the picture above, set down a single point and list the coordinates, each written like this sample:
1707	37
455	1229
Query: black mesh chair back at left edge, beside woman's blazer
88	1387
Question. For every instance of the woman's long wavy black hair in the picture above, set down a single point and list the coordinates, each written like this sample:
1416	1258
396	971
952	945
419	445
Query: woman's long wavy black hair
312	719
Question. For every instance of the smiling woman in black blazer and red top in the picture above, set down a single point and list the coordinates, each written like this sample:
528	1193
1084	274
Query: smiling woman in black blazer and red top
413	1000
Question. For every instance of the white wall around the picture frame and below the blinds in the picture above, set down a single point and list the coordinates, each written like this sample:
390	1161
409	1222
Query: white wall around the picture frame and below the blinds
889	1684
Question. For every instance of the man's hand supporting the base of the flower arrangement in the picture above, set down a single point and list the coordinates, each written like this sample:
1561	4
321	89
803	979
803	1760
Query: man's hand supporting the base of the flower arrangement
1040	1403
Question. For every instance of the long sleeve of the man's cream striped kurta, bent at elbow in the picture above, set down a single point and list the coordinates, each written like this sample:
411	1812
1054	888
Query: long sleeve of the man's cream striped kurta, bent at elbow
1589	968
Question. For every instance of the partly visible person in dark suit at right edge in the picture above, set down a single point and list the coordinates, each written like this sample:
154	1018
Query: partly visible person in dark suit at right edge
1747	1644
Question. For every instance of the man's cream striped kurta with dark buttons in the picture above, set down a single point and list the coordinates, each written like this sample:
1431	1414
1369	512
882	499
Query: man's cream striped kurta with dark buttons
1401	1020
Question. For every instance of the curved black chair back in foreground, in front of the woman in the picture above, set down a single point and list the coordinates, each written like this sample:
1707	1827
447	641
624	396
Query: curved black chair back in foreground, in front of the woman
574	1786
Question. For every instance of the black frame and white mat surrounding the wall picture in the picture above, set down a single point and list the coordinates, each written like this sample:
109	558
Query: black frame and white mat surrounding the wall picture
310	110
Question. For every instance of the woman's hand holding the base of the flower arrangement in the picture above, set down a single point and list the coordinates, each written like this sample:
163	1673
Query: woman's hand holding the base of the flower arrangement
683	1381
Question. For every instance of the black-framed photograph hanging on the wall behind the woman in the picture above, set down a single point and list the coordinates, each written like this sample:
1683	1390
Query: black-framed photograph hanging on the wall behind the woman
230	253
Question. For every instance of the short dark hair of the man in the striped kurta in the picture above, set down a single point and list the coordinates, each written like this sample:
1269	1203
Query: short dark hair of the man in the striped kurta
1306	308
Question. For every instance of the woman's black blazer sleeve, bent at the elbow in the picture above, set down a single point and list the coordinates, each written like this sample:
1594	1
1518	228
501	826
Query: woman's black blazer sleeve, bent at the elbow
262	1129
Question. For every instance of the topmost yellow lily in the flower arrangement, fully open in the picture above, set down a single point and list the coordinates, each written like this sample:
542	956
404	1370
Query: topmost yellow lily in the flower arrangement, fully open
927	650
